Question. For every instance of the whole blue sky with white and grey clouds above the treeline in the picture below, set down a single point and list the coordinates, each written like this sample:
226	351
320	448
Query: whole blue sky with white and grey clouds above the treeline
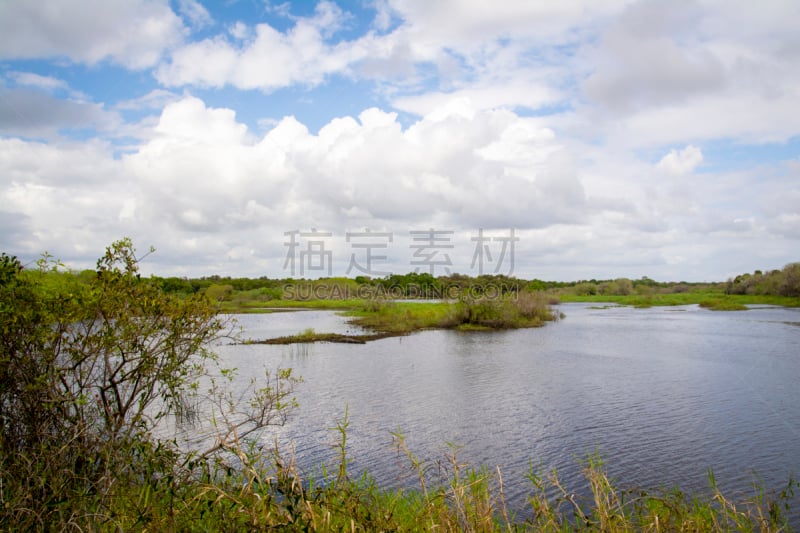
564	140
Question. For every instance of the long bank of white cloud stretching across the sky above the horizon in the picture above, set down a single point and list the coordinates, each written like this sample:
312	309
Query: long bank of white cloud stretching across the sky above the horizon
206	191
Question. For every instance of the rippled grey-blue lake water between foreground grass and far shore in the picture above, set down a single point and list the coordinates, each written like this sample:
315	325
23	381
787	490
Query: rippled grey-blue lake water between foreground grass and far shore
663	394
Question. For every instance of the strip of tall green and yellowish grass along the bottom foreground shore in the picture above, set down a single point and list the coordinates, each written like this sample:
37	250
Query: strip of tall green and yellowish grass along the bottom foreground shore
258	489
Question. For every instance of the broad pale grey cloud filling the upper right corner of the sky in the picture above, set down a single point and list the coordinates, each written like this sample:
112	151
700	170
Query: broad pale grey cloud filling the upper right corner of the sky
663	75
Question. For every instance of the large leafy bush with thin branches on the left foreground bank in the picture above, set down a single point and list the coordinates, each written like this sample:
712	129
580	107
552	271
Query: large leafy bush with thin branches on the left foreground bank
89	366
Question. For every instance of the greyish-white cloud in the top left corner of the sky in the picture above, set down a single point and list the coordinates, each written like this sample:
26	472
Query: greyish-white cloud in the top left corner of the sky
133	33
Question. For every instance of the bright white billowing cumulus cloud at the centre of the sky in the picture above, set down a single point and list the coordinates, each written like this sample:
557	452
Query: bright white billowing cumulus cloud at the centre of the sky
457	167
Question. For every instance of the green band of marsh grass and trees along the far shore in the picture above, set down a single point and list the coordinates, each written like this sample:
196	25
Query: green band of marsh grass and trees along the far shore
242	295
